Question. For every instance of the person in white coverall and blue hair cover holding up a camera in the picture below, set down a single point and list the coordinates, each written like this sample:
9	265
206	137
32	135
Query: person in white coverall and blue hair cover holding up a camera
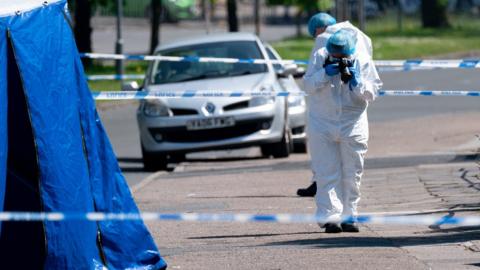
340	82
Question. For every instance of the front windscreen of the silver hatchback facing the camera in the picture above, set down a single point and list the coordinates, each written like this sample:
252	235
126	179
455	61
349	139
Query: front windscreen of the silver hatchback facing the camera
172	72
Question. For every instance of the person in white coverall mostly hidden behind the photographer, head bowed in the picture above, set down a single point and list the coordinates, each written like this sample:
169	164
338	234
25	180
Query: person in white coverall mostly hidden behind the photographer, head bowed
364	45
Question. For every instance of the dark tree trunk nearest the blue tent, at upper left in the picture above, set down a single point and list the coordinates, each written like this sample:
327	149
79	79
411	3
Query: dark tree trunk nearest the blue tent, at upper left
82	29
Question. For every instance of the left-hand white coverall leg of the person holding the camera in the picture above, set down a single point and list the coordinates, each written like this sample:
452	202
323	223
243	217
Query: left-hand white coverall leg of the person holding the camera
326	167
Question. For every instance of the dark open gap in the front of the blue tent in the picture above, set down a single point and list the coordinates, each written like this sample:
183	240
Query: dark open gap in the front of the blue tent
22	244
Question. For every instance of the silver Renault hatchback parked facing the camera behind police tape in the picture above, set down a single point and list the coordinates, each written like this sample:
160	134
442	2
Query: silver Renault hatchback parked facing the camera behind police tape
172	127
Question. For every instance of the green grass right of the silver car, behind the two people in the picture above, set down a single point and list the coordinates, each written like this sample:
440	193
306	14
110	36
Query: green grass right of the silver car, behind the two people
412	41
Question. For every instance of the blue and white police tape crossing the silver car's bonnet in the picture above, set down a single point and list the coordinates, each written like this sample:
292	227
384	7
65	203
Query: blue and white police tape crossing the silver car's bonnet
143	95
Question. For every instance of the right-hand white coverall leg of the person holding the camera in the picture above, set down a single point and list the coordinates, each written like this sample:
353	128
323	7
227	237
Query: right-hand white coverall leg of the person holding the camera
352	151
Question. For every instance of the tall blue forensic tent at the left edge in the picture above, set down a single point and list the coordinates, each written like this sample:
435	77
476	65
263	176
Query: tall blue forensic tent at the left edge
55	155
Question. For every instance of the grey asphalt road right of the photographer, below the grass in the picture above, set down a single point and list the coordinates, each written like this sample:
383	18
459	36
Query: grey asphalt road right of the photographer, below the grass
395	108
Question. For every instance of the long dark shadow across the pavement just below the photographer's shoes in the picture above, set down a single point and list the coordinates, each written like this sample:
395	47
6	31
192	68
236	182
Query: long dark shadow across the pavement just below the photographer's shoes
460	235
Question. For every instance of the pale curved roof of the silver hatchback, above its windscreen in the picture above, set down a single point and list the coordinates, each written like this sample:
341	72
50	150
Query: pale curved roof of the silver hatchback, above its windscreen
210	38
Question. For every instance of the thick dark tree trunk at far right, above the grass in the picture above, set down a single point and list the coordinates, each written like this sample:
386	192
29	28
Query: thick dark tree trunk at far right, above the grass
434	13
